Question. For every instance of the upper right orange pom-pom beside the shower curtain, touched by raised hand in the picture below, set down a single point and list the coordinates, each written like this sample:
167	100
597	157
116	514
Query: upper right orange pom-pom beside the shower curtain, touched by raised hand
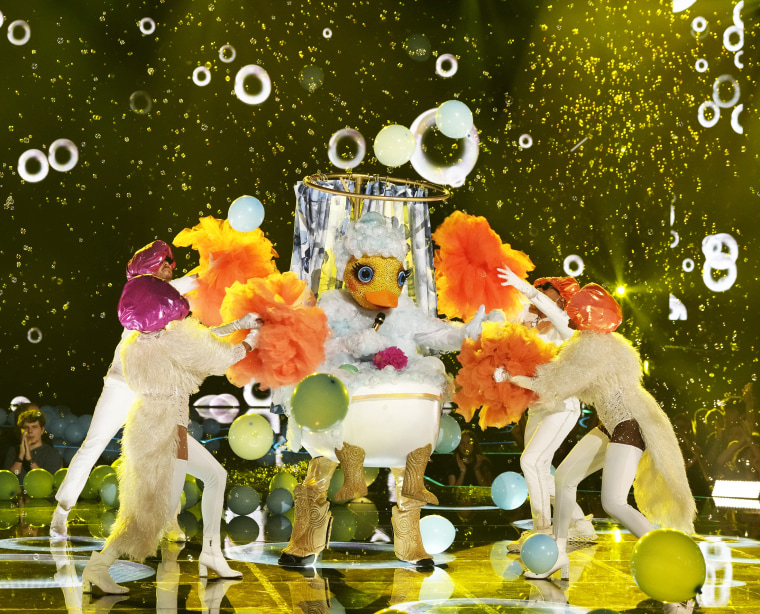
465	268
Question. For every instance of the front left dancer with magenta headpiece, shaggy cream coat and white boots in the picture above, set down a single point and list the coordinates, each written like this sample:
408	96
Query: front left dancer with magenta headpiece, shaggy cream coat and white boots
165	359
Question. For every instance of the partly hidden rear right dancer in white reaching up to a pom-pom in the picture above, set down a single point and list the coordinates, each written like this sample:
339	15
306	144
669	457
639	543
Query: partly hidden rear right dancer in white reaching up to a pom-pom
547	427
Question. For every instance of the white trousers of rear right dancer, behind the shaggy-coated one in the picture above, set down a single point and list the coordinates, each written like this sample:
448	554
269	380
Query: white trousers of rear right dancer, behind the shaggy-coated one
544	434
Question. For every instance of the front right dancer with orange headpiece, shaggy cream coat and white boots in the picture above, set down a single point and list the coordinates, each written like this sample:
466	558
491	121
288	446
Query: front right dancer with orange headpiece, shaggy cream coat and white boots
635	439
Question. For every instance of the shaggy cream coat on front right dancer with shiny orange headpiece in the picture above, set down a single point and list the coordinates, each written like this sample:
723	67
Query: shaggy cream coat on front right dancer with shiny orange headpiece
593	367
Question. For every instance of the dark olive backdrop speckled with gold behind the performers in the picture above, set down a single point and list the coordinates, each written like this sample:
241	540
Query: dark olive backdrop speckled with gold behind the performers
621	74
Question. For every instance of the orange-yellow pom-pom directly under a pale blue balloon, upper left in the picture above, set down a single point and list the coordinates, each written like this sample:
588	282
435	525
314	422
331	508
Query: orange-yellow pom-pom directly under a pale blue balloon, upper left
226	256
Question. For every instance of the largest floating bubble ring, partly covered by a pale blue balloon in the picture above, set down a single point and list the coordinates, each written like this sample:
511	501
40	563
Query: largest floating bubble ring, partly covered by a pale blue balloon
440	159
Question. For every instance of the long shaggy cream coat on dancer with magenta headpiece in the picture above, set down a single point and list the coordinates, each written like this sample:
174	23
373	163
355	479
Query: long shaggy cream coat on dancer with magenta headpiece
163	370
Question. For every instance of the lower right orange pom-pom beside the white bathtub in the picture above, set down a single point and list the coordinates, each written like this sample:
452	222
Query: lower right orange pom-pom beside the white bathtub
512	346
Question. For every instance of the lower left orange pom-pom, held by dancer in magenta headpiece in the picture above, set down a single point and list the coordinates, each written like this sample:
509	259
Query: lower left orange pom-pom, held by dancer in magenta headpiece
291	342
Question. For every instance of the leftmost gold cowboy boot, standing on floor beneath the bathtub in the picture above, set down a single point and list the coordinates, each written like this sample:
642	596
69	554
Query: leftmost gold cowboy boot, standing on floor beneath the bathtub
311	528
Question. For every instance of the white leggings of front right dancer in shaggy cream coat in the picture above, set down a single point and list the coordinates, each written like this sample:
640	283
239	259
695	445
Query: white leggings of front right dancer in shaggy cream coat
619	463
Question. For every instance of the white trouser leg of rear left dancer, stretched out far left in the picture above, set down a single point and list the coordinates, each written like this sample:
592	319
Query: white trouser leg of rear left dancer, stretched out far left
109	416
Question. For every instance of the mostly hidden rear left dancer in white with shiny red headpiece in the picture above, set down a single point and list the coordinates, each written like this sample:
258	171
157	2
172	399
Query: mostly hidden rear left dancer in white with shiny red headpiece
113	405
